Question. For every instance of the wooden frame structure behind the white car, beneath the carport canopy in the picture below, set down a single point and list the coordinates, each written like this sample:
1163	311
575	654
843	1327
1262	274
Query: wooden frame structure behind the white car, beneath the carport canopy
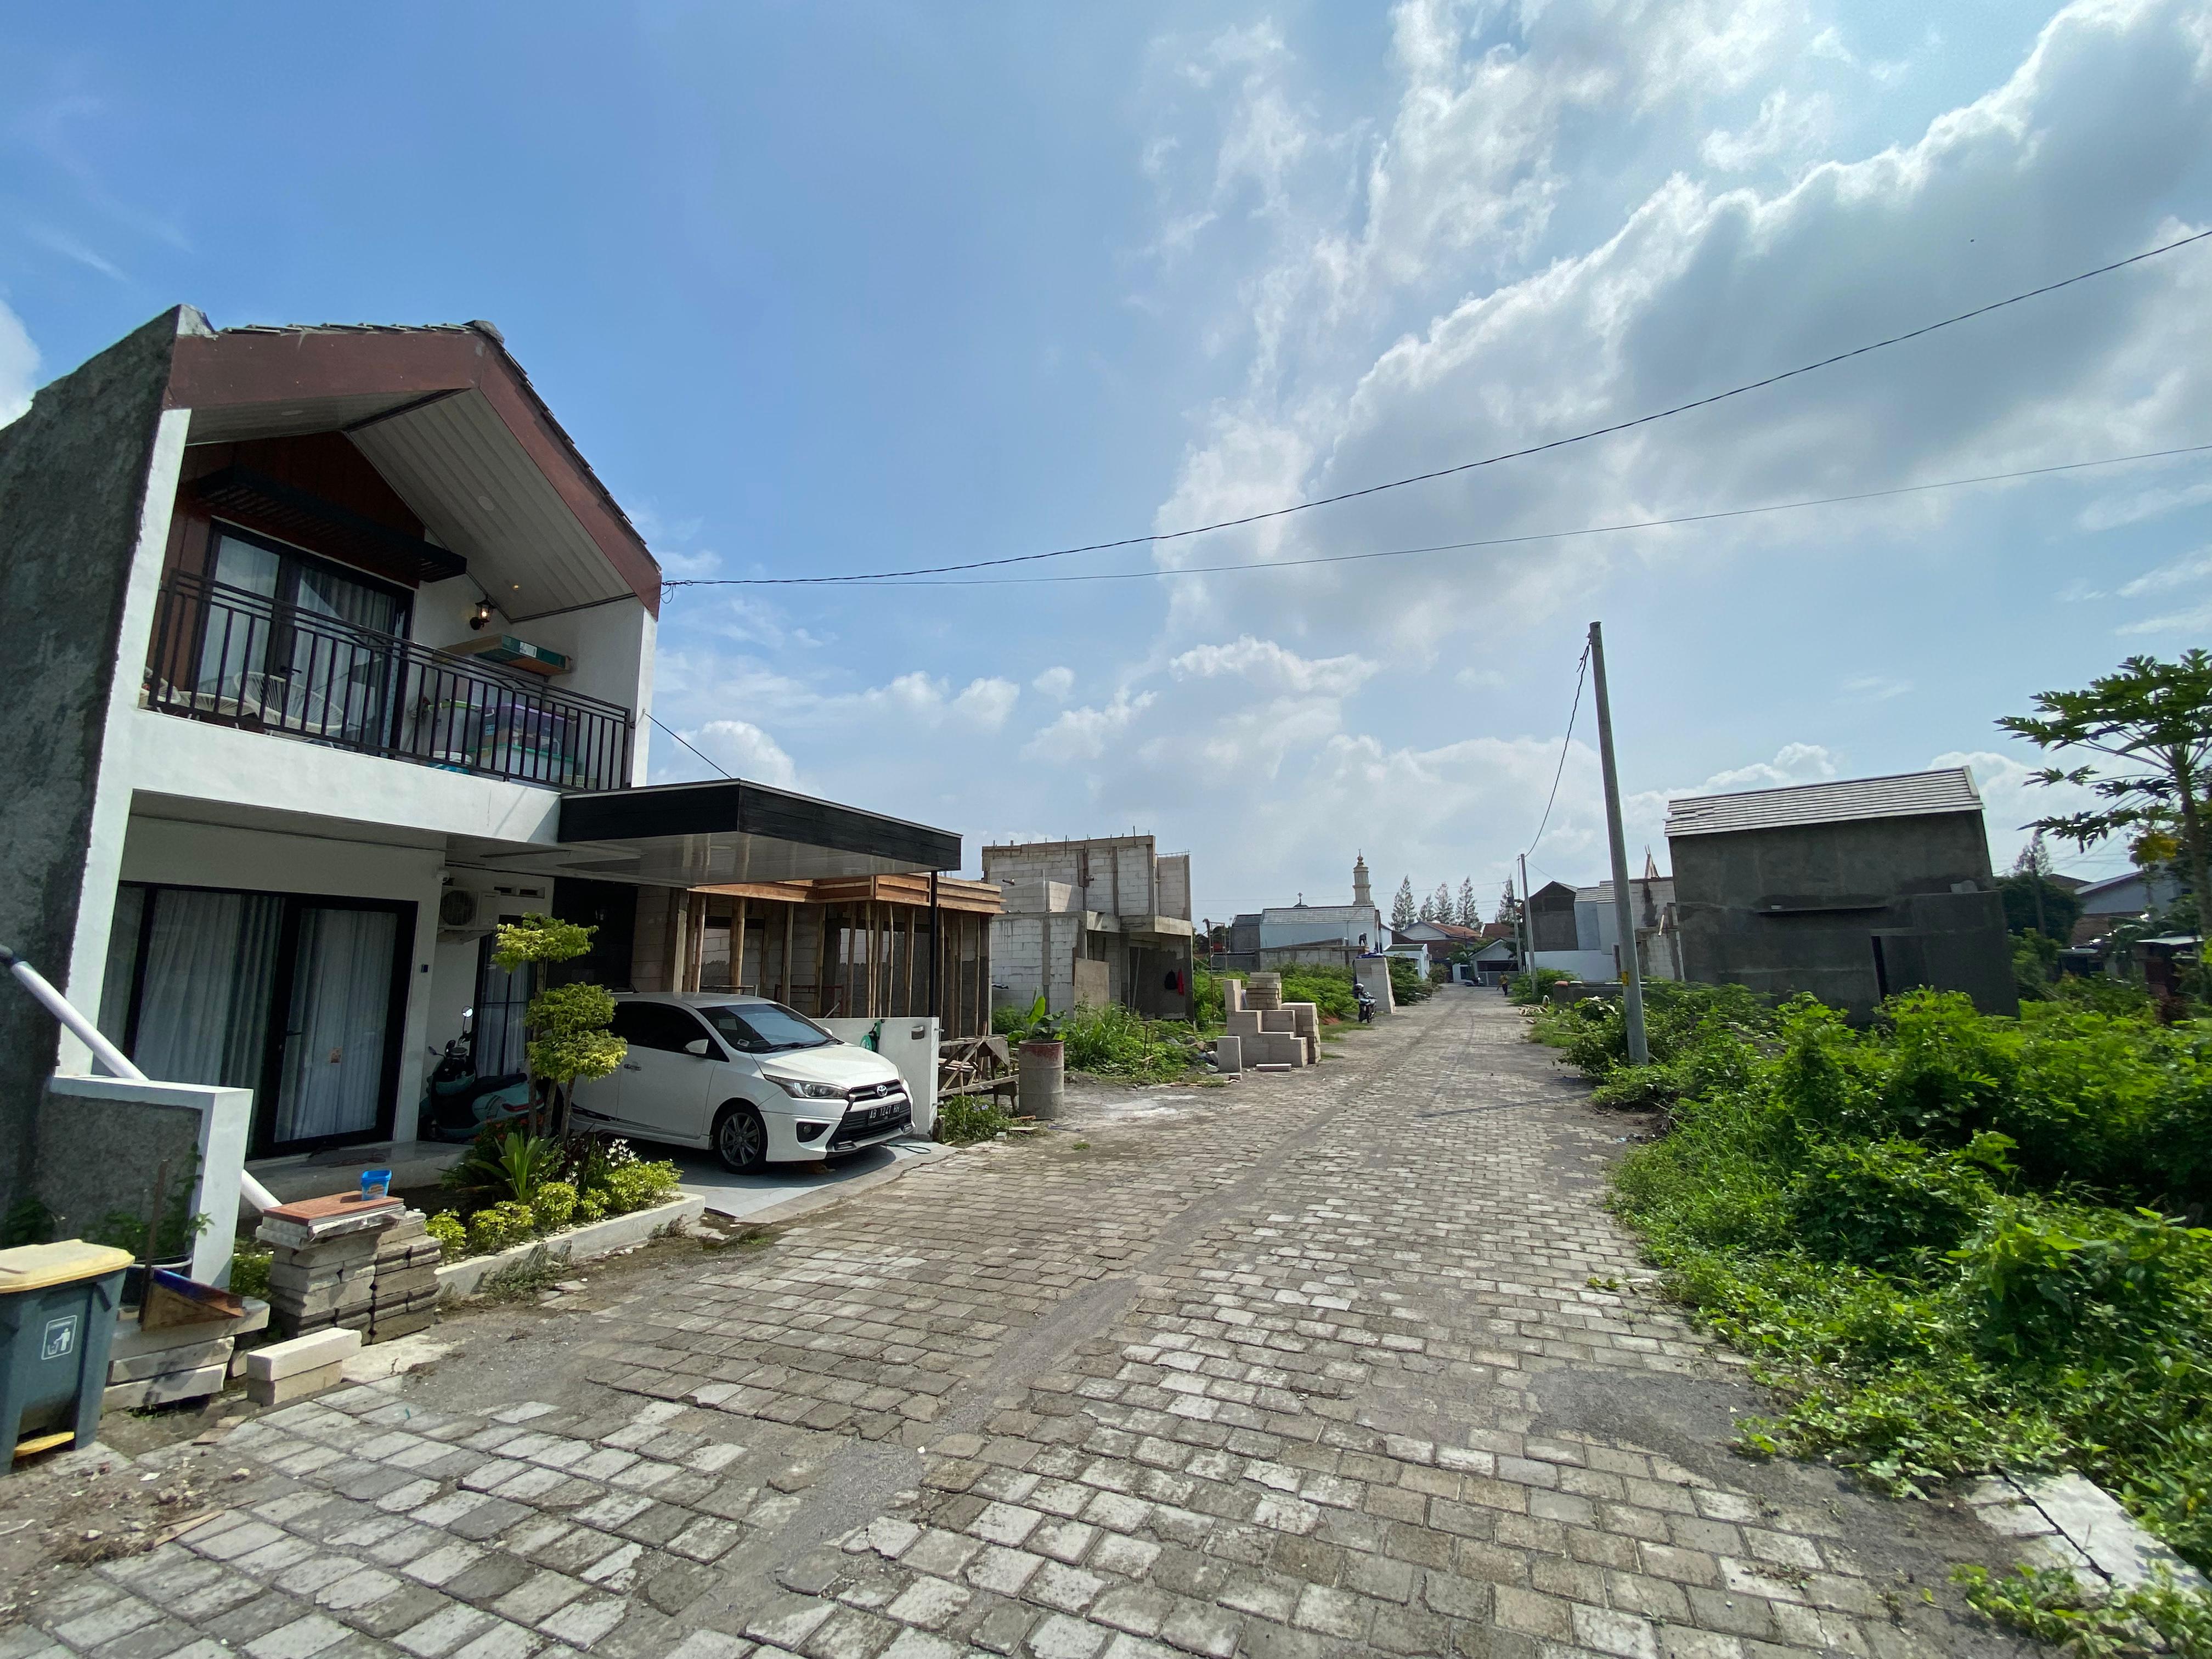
846	948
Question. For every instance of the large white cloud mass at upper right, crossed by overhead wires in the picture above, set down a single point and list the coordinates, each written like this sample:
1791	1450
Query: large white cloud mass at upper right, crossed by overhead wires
1698	289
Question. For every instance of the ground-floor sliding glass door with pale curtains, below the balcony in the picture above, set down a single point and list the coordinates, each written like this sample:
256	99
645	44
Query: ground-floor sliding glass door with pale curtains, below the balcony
298	999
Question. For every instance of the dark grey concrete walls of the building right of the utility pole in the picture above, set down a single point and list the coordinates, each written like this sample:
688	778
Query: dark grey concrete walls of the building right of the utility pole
1799	910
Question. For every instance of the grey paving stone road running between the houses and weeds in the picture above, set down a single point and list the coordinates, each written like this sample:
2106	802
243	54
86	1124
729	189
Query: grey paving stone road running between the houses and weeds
1308	1366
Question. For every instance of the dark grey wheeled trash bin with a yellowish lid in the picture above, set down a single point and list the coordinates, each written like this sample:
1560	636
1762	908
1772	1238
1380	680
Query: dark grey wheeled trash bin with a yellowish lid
56	1324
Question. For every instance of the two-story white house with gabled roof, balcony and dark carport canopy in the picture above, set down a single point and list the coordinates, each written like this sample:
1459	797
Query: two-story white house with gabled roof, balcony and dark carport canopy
331	654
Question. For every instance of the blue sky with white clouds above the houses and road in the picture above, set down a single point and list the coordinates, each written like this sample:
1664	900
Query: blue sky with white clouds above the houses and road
857	289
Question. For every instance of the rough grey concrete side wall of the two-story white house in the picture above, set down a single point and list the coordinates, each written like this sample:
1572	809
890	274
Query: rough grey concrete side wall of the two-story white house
72	494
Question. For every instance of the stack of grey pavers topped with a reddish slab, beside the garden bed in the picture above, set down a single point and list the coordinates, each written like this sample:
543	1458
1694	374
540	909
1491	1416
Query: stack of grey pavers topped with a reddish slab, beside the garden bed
353	1264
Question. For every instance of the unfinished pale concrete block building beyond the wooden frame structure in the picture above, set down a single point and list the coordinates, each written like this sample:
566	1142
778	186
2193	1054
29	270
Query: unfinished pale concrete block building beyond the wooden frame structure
1089	924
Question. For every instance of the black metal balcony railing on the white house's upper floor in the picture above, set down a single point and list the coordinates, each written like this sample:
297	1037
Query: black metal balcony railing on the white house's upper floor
244	660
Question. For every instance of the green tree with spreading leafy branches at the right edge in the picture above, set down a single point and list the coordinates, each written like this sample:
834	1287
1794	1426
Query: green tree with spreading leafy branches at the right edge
2156	724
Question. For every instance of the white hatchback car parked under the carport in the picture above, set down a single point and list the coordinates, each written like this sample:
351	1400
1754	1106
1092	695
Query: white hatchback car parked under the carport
744	1076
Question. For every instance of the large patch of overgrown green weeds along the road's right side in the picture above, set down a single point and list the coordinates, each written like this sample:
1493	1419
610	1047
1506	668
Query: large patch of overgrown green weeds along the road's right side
1950	1242
